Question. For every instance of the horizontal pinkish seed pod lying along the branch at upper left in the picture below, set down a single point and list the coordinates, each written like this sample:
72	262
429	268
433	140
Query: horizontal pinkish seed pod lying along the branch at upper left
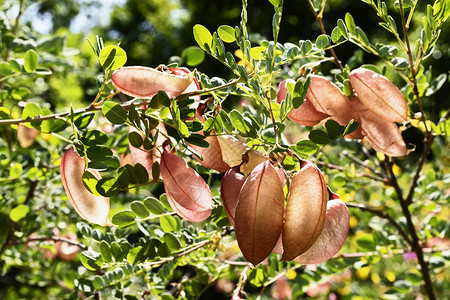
145	82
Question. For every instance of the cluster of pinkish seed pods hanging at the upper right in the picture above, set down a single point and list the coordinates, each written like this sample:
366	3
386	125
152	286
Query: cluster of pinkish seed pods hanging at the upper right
376	104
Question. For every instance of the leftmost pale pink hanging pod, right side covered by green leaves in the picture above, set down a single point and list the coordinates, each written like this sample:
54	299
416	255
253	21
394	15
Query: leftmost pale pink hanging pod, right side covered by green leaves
93	208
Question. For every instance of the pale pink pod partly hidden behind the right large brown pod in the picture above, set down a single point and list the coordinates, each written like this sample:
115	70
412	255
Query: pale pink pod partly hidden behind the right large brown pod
333	235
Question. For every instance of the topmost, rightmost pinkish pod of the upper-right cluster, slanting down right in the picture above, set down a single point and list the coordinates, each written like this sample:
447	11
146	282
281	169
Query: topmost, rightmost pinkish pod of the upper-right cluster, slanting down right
379	95
